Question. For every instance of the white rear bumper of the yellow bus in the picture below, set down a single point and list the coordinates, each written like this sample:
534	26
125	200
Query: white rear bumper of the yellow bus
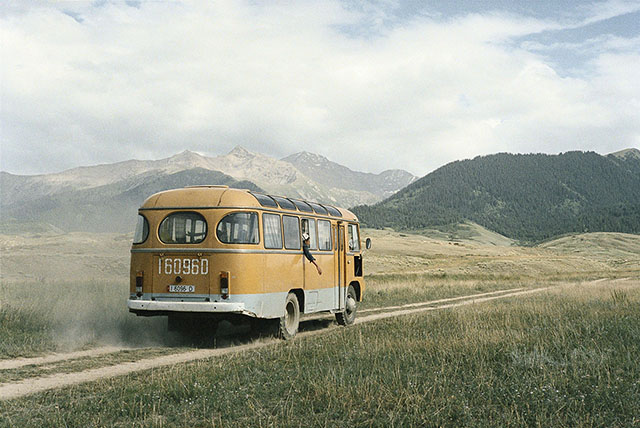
151	306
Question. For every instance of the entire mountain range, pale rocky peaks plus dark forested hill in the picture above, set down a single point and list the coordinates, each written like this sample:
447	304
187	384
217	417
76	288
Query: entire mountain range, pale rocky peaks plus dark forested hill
524	197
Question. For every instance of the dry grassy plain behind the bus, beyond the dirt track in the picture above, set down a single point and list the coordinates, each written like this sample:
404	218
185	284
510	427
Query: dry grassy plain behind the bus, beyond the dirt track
57	314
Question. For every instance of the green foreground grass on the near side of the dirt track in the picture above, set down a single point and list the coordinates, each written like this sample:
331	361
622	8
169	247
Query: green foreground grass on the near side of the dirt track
565	358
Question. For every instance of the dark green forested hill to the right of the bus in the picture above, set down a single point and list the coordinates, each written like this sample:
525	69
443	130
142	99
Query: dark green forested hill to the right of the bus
526	197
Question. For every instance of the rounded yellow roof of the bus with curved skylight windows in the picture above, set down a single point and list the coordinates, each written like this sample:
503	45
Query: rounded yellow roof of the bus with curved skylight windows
204	197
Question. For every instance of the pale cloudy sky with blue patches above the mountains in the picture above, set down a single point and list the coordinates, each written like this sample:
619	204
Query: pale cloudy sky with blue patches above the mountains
372	85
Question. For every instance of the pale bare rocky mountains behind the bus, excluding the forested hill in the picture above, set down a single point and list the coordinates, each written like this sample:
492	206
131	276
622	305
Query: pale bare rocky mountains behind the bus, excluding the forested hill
105	198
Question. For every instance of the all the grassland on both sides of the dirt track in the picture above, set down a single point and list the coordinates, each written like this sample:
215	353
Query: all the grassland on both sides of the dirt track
565	357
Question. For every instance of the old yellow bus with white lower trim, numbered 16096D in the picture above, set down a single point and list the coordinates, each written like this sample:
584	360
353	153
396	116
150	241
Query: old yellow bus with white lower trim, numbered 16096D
205	253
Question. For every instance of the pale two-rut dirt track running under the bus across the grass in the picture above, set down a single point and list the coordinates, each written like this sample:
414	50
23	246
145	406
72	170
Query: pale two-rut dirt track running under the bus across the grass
42	383
